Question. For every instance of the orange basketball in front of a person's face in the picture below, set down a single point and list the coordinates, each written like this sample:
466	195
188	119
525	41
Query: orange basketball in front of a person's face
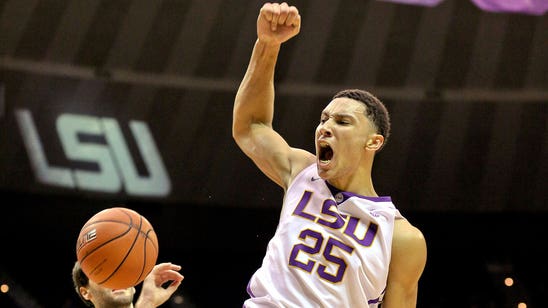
117	248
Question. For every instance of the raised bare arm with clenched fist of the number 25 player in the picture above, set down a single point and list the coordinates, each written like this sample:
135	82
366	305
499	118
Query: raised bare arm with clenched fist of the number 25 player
254	103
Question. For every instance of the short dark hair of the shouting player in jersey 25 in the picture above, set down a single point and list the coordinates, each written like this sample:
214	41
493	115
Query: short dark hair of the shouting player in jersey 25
375	110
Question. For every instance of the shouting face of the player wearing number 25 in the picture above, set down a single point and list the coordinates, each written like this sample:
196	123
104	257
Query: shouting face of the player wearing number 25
341	138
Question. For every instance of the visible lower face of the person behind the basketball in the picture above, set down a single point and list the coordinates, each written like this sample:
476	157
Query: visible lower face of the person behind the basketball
104	297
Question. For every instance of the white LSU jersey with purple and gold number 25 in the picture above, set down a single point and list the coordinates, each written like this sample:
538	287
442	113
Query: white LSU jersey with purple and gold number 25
330	249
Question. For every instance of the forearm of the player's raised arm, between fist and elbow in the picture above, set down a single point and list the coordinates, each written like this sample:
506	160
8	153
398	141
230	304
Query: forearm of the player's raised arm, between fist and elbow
254	102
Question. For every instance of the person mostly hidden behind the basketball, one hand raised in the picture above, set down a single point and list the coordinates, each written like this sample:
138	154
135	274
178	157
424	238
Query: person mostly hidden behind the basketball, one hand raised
153	294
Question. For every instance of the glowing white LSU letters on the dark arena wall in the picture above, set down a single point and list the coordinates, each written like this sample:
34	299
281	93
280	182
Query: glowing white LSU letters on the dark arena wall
116	168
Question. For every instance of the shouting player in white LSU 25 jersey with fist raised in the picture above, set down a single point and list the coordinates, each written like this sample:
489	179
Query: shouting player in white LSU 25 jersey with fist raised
337	244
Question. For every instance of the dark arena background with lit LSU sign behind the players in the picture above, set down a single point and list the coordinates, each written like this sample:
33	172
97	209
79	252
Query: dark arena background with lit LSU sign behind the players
129	102
